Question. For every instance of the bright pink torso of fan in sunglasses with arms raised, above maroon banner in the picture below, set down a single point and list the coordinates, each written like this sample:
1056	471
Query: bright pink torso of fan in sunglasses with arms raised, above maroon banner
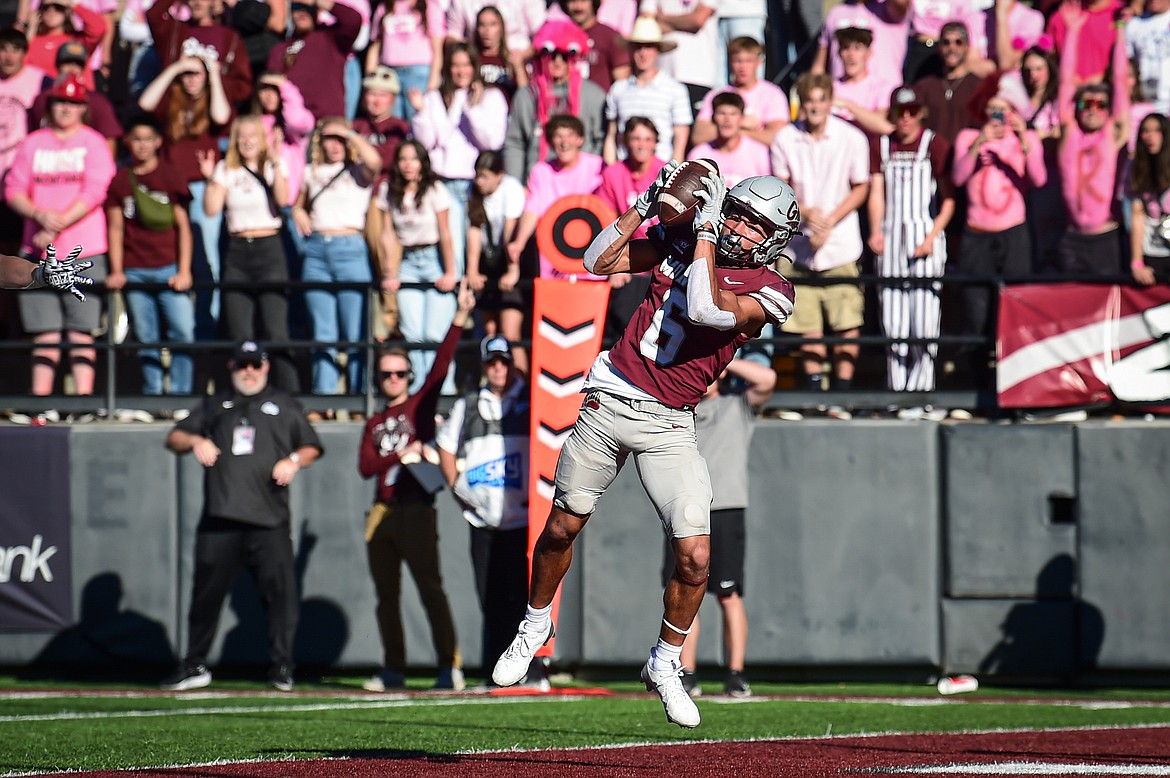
1089	169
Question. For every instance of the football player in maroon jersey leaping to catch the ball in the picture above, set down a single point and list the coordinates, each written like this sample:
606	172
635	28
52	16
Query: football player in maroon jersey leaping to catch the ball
713	290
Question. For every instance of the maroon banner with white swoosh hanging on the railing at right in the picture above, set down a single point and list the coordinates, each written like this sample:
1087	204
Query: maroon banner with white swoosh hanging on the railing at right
1083	345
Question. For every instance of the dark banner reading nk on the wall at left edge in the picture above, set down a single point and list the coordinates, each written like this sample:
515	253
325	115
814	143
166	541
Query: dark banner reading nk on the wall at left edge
36	586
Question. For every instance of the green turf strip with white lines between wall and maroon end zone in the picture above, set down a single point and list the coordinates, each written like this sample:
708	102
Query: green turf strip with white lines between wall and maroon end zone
98	727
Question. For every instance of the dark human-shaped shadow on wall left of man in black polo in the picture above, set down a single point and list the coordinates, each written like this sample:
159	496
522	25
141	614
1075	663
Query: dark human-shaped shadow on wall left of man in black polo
108	642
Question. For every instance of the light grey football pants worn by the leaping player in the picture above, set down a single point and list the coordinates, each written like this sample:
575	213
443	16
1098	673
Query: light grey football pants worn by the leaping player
666	455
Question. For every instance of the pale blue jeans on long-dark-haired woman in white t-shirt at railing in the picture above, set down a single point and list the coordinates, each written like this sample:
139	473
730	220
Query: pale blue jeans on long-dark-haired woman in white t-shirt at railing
424	315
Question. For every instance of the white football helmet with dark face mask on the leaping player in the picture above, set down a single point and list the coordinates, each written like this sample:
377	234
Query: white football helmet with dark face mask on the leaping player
773	204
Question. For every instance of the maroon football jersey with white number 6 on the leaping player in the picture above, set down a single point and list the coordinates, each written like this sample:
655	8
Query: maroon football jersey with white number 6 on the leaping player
669	356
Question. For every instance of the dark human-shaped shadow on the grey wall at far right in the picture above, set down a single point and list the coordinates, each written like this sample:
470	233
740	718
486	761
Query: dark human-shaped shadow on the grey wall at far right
1056	637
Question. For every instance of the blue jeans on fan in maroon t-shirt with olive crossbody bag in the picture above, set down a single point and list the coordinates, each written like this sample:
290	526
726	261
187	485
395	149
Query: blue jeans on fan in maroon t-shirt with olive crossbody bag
181	328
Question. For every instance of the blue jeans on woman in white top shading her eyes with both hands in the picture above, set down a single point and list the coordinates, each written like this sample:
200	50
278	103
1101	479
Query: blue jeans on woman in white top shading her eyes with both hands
338	315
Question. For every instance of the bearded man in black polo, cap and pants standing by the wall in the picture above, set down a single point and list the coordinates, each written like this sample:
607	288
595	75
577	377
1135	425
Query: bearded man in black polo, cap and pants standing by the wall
252	440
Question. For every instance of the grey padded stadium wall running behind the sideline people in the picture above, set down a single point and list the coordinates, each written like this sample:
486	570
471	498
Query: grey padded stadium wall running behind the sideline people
1027	552
